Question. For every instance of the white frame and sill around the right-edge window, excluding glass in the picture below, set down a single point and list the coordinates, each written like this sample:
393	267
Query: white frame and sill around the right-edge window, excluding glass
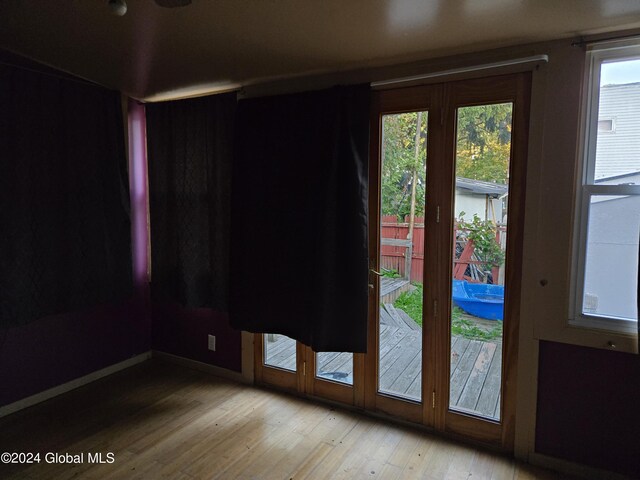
608	332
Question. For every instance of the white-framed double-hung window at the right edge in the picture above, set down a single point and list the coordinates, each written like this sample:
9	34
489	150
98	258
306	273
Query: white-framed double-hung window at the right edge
609	204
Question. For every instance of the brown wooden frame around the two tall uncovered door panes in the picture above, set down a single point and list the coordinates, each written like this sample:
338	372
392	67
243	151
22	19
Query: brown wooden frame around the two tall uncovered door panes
442	103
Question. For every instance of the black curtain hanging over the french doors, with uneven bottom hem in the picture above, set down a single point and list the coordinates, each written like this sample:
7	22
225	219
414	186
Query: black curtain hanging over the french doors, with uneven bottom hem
299	218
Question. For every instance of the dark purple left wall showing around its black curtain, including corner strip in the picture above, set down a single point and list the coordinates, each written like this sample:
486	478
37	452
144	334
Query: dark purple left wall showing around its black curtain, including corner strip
59	348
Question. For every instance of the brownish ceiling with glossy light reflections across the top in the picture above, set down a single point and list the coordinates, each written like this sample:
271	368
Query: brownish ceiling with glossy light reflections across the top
214	43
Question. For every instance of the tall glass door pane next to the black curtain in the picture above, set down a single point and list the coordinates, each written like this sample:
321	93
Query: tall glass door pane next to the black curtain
402	199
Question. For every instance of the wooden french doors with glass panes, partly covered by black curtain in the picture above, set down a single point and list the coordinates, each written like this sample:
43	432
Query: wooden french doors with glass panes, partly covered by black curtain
446	225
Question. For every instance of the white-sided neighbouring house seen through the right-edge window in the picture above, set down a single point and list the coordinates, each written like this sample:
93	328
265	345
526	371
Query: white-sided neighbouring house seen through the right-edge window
612	239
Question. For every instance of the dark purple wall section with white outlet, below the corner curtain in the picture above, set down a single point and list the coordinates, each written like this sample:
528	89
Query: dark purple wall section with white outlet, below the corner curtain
184	332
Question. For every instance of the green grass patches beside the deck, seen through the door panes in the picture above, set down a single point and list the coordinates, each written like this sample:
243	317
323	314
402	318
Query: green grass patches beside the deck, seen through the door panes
411	303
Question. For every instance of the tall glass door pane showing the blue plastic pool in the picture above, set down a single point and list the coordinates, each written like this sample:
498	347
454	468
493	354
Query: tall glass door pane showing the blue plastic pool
483	151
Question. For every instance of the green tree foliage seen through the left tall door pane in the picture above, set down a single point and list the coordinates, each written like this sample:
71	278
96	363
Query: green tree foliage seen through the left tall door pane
399	161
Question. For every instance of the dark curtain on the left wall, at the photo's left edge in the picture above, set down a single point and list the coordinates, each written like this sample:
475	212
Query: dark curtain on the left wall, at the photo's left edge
64	203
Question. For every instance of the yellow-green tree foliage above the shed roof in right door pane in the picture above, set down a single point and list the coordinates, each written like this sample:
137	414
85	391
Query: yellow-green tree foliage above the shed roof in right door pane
484	142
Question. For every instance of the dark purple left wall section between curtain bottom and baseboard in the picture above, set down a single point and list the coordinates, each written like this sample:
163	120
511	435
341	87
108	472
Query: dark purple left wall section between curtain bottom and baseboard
61	348
